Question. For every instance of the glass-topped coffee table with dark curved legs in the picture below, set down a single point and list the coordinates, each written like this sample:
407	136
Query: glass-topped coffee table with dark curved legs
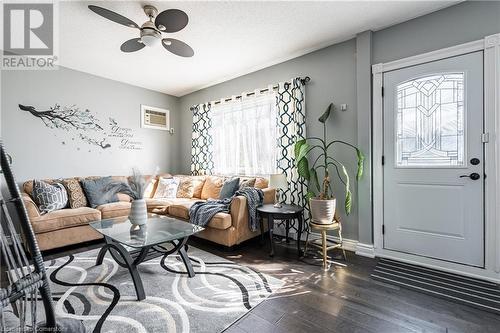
130	245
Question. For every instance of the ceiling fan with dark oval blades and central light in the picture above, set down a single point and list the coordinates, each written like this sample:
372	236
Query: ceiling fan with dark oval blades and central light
168	21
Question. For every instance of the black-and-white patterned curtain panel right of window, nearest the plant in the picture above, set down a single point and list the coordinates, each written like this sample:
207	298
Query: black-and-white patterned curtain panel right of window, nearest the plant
292	127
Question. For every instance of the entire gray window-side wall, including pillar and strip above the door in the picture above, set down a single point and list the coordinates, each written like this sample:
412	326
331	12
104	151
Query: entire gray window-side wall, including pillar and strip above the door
334	73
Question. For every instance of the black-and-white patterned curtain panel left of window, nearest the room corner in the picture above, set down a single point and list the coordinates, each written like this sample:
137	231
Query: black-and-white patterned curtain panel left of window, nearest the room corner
202	143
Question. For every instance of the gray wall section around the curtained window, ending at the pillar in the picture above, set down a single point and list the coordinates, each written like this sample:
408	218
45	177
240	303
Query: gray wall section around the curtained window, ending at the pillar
333	79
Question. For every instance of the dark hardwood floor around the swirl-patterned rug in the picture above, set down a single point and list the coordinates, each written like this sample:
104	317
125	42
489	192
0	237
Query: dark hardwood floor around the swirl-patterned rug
345	299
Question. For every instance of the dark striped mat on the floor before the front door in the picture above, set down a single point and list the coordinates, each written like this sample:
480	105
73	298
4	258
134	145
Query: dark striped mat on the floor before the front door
480	294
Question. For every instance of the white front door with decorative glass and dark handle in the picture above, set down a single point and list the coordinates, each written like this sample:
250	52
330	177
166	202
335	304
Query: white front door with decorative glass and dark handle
434	160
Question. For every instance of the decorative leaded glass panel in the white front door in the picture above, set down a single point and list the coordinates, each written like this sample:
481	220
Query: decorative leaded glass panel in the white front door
430	121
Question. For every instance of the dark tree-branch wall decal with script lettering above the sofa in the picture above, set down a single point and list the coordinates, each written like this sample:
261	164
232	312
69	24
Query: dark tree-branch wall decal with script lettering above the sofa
86	127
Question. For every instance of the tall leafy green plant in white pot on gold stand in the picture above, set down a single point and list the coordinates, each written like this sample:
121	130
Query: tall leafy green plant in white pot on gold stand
322	201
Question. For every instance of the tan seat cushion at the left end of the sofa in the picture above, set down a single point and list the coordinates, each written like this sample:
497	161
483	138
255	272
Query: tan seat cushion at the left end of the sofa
65	218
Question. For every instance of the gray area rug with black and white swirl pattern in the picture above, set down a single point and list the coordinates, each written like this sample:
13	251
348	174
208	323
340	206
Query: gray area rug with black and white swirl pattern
103	297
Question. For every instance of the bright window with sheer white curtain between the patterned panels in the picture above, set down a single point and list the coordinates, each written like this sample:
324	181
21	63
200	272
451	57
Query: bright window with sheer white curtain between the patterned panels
245	135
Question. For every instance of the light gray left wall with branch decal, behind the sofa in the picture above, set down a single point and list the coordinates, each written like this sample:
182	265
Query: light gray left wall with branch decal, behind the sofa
38	151
